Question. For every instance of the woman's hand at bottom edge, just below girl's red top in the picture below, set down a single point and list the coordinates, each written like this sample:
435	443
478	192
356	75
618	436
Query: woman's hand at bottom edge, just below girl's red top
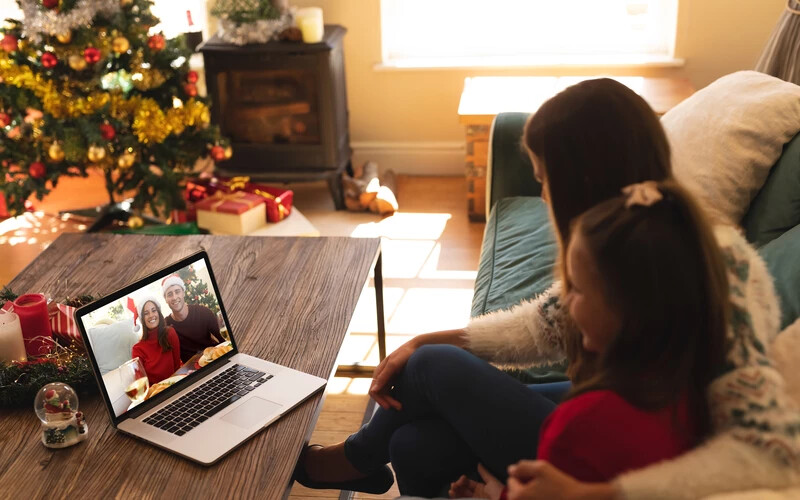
537	479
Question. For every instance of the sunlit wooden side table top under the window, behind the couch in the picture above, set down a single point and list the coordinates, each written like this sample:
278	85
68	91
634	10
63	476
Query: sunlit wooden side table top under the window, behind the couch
486	96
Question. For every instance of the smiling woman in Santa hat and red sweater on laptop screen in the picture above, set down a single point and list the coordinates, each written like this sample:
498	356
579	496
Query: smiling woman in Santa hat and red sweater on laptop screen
159	349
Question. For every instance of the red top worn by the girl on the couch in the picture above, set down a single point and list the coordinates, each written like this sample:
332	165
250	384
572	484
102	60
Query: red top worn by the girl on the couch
598	435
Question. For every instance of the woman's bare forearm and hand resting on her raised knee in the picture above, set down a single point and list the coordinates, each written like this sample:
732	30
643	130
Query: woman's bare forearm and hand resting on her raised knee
394	363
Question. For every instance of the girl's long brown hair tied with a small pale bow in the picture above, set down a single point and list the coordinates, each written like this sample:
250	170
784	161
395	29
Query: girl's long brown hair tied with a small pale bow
664	275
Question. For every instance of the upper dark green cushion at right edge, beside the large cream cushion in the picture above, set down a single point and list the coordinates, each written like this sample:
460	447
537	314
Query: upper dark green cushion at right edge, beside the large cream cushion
776	208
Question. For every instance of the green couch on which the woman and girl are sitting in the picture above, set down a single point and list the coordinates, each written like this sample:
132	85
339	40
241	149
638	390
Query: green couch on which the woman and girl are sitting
519	250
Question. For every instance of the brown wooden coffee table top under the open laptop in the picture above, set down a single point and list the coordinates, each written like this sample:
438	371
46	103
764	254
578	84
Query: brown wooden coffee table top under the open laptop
289	300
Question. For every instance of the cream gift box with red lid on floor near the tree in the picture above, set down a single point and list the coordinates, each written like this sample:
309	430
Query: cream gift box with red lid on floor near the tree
231	213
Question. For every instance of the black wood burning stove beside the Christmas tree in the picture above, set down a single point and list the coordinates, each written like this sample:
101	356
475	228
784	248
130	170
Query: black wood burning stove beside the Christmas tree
284	107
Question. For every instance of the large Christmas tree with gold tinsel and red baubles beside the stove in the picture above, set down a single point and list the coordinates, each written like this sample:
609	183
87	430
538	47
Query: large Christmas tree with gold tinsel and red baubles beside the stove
84	83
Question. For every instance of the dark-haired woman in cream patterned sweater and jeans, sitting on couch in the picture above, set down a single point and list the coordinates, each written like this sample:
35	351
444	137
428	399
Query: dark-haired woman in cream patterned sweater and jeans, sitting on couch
586	144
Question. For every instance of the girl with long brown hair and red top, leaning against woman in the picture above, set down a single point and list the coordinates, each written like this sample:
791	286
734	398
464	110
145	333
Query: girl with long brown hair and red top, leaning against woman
646	287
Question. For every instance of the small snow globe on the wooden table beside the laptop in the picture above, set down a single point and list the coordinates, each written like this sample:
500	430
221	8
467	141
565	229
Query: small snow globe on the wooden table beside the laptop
63	425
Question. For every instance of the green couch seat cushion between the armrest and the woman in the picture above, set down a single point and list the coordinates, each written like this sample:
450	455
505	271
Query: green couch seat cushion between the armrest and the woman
517	263
